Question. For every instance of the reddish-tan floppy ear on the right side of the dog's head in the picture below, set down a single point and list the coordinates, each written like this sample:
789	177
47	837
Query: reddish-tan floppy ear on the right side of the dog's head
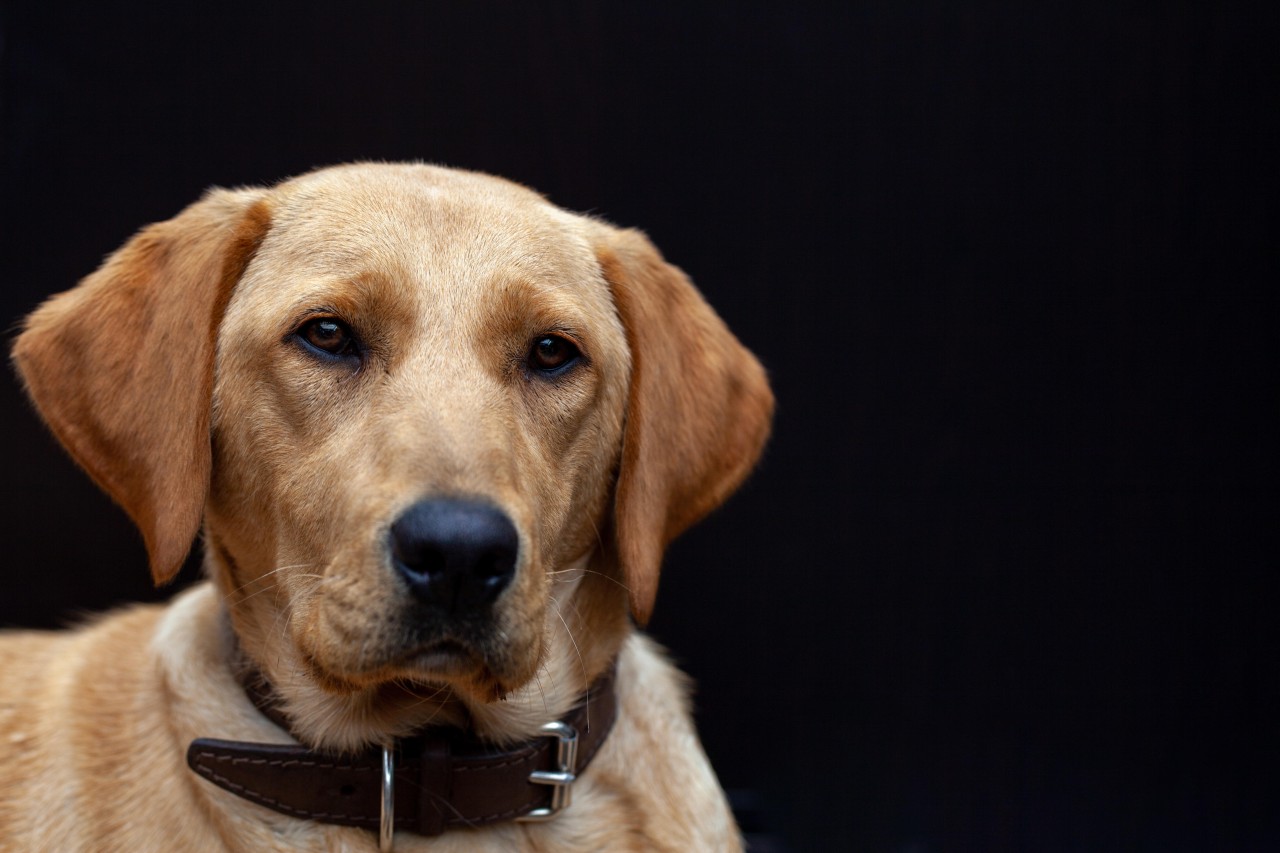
698	414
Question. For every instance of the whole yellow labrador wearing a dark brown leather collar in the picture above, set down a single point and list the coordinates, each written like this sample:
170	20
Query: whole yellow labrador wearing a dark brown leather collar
437	435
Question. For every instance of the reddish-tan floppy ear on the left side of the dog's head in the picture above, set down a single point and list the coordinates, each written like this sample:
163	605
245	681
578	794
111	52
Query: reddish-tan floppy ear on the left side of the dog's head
122	367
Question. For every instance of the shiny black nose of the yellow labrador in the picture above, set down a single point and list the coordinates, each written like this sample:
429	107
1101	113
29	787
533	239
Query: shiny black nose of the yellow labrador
456	555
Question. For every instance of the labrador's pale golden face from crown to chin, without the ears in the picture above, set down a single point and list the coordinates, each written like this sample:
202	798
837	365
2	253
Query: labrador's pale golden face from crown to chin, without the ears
418	413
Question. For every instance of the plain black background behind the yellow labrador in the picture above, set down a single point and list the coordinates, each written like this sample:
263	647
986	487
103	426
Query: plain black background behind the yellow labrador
1005	578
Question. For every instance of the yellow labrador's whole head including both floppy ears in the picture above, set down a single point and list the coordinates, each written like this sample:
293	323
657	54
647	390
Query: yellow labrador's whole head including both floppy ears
431	422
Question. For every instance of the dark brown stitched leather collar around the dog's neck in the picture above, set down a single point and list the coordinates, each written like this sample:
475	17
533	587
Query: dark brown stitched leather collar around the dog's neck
442	778
